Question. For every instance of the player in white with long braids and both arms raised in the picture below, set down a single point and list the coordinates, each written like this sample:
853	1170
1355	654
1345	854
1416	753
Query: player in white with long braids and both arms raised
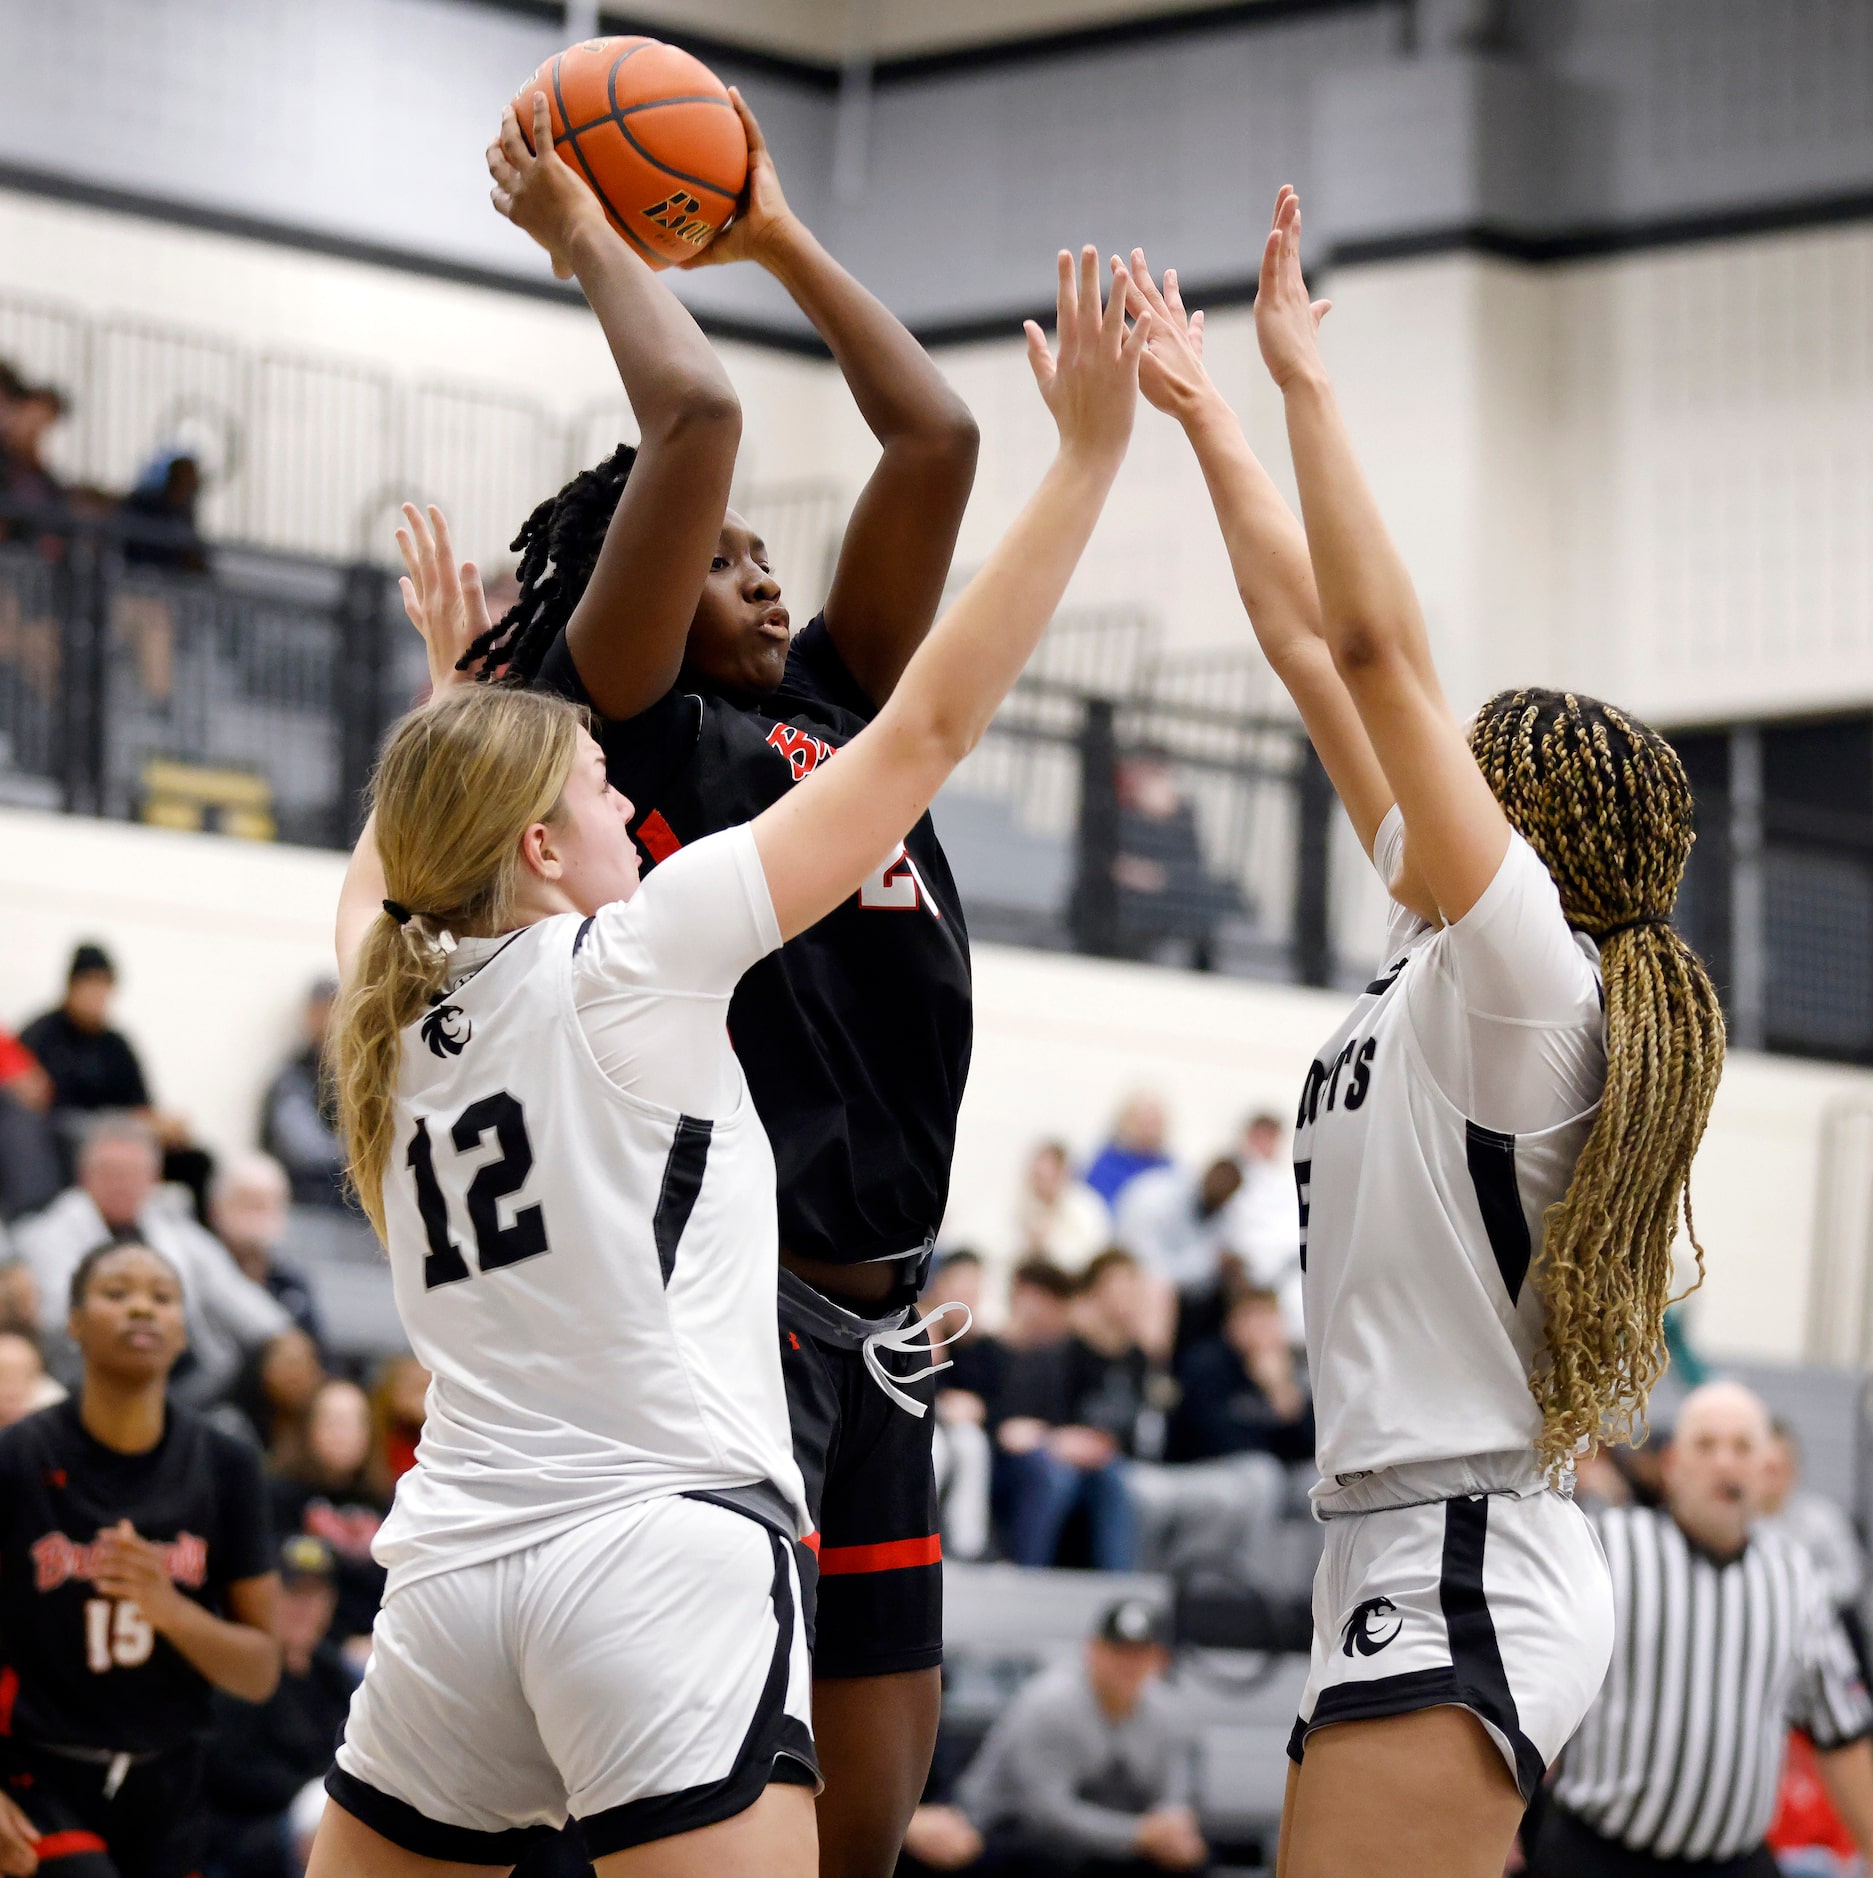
1491	1150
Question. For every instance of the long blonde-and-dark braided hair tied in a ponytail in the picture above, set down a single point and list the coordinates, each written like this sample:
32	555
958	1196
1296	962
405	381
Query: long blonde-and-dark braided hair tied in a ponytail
1607	807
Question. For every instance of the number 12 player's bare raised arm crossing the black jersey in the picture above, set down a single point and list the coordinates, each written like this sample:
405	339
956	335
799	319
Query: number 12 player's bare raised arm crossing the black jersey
822	840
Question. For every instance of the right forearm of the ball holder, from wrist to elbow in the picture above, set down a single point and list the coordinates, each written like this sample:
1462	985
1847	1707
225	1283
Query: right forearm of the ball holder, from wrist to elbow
899	392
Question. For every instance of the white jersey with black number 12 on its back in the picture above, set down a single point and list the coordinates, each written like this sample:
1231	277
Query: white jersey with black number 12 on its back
587	1274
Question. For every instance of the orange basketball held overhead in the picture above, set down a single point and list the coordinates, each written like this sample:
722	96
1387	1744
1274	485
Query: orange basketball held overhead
653	132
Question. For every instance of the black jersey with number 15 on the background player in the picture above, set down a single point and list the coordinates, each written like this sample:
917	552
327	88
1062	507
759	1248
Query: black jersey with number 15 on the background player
85	1670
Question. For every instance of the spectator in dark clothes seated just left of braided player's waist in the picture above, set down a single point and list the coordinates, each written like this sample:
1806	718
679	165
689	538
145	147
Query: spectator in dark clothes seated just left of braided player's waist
1239	1391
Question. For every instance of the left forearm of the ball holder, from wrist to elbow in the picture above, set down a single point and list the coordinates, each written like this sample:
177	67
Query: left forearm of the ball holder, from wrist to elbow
668	367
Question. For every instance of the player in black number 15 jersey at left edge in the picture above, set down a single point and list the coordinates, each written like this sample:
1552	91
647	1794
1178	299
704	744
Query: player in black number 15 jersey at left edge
136	1577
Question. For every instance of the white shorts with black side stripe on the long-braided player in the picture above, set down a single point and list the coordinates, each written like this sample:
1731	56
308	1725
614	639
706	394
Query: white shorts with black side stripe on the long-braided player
1487	1603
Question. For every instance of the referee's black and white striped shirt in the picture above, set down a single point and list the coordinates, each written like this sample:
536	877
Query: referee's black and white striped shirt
1682	1753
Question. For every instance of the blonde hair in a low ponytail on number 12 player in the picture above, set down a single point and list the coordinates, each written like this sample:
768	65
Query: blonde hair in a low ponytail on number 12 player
456	790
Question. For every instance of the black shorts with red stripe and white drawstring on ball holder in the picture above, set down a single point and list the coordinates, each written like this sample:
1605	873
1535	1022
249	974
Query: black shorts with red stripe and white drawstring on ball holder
876	1603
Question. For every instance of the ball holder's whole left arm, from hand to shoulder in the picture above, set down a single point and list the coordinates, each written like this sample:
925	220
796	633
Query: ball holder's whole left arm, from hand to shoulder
628	632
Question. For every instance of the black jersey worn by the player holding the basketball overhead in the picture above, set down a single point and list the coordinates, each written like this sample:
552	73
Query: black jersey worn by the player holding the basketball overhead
856	1036
